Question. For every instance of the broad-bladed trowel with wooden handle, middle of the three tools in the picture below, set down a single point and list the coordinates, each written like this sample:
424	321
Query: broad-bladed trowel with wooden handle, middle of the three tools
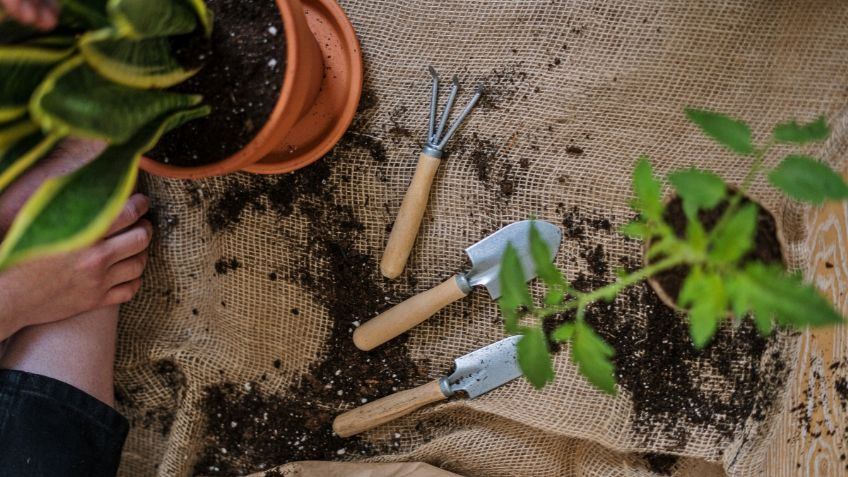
485	258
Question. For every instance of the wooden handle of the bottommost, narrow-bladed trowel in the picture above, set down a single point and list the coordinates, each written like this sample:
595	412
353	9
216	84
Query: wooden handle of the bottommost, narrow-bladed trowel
387	409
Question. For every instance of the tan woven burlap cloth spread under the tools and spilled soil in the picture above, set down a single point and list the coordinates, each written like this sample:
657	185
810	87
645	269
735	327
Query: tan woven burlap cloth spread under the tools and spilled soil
611	78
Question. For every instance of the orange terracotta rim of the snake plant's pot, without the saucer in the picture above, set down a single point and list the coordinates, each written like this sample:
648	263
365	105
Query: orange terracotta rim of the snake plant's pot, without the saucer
263	142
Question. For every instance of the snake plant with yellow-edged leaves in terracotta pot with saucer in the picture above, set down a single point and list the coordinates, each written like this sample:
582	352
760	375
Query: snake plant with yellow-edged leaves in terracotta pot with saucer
129	71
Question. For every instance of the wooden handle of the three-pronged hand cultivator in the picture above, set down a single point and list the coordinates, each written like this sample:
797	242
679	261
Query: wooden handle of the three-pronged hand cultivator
409	217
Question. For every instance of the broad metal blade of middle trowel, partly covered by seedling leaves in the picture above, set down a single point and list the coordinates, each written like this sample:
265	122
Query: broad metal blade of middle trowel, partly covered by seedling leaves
486	254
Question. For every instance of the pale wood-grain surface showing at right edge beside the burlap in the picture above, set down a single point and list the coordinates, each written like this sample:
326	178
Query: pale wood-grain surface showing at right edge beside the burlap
811	437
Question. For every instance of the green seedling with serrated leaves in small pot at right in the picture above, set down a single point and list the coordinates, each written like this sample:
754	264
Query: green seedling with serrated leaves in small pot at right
701	245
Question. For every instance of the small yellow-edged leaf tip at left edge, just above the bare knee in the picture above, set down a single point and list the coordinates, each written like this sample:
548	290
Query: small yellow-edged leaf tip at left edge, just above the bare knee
22	144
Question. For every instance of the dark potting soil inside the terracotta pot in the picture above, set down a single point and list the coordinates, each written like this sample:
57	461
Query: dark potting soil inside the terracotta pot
244	64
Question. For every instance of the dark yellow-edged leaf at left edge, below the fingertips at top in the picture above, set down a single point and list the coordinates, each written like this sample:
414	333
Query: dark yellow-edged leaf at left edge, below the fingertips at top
22	68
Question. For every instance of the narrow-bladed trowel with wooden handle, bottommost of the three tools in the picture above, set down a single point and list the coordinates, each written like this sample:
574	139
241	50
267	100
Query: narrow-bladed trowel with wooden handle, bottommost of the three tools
474	374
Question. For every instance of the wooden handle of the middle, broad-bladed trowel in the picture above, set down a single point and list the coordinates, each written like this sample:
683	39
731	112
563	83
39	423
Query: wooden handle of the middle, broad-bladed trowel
407	315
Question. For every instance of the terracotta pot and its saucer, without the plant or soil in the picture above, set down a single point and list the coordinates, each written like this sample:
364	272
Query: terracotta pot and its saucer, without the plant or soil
303	104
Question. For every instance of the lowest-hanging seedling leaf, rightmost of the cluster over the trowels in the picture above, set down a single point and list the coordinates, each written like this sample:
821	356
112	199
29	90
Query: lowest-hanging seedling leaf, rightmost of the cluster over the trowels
593	357
